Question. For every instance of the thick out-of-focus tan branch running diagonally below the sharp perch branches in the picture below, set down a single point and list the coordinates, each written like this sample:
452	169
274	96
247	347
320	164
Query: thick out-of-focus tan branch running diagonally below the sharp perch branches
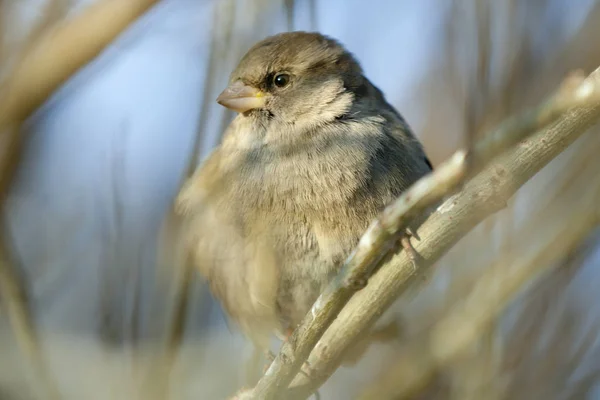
422	357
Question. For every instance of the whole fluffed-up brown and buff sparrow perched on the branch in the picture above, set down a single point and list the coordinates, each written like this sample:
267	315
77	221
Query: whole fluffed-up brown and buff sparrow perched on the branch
314	155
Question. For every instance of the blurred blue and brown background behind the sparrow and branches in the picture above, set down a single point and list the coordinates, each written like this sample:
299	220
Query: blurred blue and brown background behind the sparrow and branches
105	155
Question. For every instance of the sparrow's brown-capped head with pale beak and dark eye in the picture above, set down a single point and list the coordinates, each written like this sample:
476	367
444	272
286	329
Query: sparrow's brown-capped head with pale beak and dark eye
294	79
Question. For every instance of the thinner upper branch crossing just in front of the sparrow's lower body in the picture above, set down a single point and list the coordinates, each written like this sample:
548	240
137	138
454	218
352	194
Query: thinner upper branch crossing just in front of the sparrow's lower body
383	234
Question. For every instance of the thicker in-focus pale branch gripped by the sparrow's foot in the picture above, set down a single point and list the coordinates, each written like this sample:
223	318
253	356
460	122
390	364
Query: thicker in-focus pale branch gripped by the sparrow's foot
485	194
